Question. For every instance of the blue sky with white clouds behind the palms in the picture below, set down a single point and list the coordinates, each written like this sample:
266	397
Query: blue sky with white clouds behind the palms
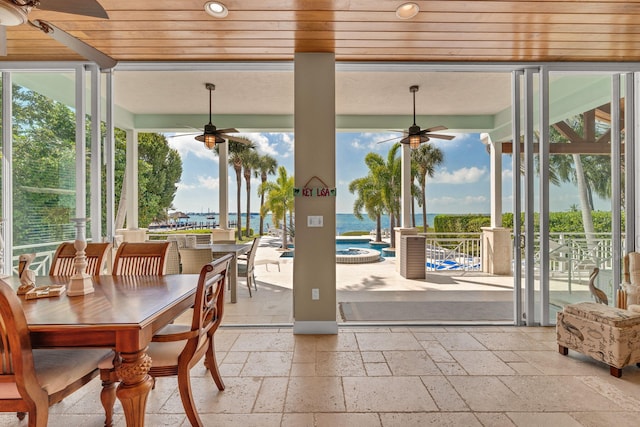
460	185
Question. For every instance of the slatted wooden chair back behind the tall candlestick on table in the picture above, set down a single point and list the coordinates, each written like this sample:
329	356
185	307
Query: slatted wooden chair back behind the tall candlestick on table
63	259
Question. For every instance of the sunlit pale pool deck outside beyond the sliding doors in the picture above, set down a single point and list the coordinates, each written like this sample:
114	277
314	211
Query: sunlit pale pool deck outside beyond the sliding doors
272	304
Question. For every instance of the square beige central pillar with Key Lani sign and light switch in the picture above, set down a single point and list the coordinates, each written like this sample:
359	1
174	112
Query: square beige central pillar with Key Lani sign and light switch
314	265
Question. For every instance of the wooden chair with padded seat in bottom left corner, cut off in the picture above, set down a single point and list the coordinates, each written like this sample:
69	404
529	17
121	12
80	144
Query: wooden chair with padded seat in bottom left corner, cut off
31	380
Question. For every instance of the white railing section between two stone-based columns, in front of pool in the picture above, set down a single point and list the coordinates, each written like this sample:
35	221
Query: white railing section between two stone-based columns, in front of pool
449	251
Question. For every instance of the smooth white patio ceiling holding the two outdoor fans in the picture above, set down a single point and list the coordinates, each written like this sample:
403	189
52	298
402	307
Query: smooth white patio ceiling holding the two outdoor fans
271	92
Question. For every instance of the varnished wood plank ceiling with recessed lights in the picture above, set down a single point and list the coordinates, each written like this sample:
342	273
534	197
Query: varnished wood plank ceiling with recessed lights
356	30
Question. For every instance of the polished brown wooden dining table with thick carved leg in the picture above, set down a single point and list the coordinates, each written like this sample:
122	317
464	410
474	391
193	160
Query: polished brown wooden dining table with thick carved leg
123	313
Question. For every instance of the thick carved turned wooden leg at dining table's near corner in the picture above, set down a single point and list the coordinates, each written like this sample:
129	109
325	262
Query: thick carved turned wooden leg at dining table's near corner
134	386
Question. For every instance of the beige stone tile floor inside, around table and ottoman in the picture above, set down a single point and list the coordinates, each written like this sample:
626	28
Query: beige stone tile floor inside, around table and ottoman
387	376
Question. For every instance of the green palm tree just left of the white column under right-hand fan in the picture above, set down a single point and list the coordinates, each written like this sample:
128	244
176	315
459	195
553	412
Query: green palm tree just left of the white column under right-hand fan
387	178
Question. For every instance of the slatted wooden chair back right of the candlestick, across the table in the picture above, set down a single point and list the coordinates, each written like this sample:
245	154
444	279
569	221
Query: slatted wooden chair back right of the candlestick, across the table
141	259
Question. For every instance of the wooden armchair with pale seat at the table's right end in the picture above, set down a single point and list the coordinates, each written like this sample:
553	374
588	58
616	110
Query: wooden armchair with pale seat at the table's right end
175	349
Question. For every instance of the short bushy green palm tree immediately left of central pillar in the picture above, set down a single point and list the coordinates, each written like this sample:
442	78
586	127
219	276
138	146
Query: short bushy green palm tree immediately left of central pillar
279	200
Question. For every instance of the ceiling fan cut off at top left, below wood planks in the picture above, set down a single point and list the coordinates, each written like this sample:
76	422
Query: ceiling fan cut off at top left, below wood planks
16	12
